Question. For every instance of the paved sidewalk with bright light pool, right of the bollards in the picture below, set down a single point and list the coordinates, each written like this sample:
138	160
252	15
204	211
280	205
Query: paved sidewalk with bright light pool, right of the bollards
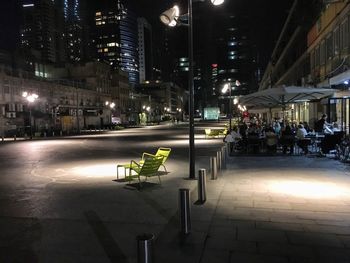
290	209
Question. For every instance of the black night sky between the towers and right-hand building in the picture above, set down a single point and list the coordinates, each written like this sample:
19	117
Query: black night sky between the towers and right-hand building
267	17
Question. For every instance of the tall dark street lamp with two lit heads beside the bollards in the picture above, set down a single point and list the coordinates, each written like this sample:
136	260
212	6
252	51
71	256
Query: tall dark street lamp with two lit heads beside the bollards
172	17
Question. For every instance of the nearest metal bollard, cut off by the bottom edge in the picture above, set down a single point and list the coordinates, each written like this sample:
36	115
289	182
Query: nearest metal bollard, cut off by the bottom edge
145	253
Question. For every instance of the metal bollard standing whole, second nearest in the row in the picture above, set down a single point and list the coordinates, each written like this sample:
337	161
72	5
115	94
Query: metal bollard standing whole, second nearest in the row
185	212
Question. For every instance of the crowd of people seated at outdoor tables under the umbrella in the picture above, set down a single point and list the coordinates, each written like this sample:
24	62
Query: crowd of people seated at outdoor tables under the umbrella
286	135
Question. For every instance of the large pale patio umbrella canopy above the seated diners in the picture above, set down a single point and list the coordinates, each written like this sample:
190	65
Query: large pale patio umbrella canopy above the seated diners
283	95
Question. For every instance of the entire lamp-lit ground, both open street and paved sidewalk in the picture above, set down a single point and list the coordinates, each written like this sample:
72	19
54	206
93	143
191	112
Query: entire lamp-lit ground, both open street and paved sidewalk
60	203
